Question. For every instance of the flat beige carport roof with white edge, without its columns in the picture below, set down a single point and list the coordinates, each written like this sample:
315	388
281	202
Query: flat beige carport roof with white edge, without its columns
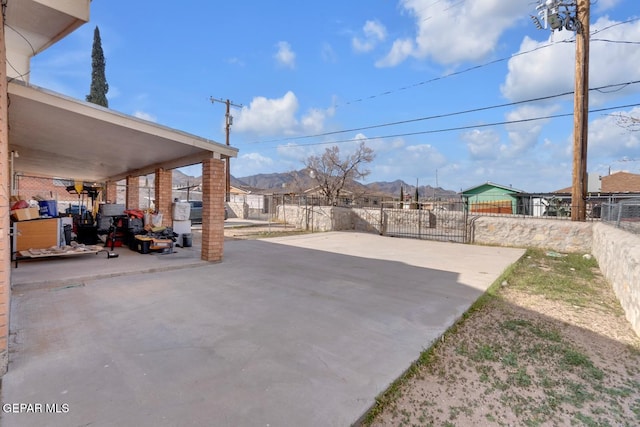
58	136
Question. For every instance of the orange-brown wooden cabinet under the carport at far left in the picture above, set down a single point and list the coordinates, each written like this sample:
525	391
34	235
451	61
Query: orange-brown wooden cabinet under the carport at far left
36	234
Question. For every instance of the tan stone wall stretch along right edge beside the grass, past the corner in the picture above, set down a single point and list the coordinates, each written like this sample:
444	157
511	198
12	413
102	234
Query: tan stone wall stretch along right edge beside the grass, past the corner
618	254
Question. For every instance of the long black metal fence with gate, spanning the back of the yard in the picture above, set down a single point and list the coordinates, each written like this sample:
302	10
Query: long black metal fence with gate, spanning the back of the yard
442	220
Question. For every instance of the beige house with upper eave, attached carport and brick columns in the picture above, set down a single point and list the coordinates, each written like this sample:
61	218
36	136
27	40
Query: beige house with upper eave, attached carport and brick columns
43	133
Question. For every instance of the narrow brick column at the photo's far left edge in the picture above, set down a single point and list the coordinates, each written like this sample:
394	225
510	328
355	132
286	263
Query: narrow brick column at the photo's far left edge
5	241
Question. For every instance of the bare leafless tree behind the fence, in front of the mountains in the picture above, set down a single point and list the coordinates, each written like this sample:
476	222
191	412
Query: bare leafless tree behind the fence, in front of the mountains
333	173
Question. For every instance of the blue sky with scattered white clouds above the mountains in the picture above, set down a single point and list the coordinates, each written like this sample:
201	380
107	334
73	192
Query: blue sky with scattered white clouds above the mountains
302	70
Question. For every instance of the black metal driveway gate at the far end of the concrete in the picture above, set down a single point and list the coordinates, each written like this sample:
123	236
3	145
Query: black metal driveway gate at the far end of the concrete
441	221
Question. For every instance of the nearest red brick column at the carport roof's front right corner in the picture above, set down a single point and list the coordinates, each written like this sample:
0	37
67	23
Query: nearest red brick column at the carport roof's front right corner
213	189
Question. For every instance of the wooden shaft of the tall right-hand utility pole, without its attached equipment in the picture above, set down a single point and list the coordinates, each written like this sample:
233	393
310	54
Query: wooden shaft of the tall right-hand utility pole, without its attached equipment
581	114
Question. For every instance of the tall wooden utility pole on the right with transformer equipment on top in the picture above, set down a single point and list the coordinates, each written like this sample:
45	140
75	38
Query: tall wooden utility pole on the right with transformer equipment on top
574	16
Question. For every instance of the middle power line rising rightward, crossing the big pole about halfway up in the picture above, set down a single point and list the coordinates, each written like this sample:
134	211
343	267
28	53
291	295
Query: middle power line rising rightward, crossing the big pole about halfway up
439	116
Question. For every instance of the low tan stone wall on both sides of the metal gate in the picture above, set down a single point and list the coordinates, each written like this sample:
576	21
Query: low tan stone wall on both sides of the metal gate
617	251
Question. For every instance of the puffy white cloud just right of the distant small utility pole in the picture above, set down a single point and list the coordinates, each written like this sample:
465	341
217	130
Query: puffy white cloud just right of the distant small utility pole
266	116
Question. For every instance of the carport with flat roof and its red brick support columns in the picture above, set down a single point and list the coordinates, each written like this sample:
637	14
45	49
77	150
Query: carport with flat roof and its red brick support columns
52	135
